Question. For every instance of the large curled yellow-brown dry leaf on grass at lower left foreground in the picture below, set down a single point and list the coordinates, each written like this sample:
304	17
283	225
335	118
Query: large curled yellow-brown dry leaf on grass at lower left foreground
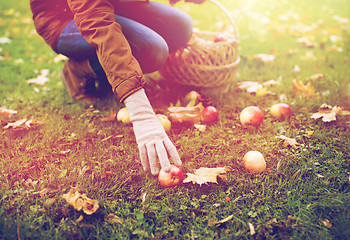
81	201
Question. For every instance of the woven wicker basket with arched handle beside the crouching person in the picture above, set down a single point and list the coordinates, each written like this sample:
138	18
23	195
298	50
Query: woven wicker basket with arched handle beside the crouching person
204	63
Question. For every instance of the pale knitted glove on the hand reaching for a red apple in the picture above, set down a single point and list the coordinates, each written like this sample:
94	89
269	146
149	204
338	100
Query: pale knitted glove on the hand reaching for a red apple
154	144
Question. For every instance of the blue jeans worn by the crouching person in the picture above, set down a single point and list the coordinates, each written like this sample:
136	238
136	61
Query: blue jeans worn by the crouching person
152	30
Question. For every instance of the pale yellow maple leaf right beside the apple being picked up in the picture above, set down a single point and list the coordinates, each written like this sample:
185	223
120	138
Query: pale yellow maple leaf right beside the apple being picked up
205	175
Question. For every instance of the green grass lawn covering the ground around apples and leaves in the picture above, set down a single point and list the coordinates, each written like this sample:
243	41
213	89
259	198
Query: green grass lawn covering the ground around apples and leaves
305	187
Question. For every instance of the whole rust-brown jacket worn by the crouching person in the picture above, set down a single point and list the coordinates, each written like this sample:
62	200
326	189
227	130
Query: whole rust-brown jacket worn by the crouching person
95	20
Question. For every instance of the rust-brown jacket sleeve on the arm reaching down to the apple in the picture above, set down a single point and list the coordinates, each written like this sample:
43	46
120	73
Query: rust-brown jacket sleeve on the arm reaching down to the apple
95	20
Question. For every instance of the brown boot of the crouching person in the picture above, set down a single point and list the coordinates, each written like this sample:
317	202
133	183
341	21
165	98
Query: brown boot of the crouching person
79	79
